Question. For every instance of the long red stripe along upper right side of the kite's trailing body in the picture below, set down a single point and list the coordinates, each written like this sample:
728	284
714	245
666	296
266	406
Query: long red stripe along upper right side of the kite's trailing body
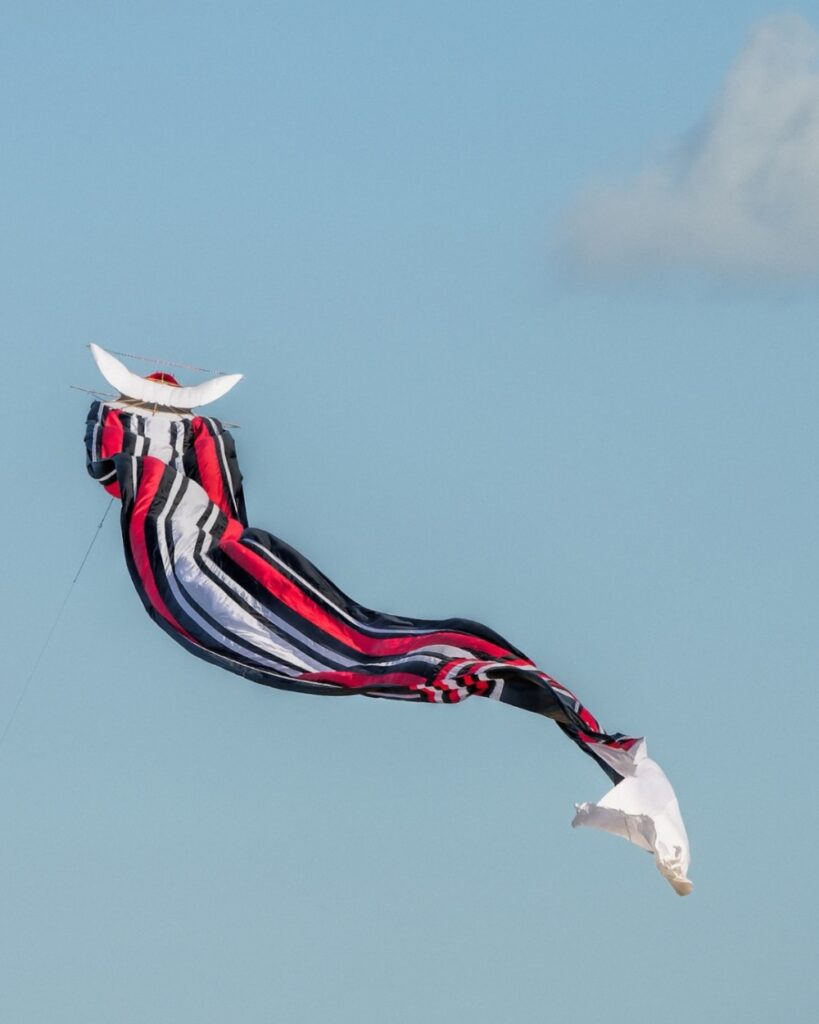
294	598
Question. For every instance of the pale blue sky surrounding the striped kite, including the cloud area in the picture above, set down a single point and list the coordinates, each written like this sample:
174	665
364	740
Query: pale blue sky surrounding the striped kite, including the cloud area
455	407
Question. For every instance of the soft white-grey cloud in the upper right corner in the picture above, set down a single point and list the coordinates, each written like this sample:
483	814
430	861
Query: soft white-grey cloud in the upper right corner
741	199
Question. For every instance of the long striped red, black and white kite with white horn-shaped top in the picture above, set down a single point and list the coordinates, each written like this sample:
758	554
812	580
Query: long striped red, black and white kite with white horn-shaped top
243	600
